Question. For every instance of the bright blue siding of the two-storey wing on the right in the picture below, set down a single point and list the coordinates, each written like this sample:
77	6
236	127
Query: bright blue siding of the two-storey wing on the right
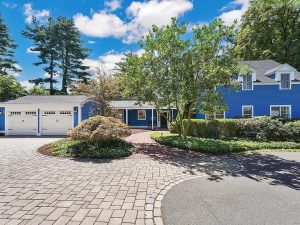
261	97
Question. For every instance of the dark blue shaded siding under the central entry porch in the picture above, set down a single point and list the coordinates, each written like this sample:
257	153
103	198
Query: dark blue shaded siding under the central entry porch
133	118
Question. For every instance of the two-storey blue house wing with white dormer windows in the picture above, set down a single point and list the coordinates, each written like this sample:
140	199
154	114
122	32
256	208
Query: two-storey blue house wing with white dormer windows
272	89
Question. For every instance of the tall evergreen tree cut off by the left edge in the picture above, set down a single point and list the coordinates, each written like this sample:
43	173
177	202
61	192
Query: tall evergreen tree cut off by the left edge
7	46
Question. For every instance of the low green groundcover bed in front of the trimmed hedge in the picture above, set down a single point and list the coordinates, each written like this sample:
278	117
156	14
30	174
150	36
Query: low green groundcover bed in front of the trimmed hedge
221	146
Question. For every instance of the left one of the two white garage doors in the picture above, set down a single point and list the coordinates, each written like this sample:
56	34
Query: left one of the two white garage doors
22	123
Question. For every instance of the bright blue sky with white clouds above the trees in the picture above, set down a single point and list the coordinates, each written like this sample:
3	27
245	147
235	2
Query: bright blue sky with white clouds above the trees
108	27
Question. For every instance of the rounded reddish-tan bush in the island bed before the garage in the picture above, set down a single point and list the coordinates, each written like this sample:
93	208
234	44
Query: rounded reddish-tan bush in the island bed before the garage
100	128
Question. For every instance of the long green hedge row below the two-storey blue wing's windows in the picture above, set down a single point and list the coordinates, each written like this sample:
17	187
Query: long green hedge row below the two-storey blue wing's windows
258	128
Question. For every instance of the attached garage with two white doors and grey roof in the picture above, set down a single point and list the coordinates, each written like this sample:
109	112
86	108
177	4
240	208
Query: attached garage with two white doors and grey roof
44	115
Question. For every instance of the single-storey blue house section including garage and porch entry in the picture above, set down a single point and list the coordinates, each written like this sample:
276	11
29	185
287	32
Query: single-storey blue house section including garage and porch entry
56	115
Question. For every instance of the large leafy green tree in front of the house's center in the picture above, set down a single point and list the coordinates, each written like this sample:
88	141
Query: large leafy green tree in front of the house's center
175	71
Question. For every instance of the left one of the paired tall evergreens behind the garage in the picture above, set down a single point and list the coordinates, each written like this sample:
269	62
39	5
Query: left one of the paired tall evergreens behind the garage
45	43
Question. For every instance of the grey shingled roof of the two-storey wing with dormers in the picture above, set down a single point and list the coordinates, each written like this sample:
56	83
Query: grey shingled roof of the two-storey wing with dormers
262	66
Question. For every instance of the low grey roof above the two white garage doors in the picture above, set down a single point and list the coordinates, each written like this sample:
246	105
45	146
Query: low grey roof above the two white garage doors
49	99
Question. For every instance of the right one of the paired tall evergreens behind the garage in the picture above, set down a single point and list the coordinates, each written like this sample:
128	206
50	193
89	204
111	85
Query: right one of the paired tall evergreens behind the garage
71	53
